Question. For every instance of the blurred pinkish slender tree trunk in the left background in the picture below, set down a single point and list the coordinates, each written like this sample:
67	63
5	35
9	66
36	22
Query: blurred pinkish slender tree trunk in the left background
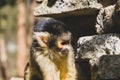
21	38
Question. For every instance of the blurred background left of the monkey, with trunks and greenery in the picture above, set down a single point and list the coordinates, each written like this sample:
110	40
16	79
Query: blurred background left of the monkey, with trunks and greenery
16	22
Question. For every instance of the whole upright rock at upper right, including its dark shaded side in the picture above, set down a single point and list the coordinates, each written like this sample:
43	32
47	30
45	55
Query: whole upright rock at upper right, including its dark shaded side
108	19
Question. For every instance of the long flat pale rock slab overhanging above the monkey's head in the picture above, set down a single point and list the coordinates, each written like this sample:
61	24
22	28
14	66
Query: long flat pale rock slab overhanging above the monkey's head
66	7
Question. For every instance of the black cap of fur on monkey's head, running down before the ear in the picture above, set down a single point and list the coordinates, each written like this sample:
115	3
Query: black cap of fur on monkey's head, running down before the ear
52	26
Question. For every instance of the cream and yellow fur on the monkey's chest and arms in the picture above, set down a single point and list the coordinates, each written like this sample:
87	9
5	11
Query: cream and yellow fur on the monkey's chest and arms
53	67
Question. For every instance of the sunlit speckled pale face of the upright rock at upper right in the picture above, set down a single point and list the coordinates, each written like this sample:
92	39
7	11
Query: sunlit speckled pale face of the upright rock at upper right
104	20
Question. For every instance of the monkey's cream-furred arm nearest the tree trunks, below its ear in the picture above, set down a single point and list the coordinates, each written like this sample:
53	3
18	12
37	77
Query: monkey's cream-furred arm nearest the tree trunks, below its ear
47	67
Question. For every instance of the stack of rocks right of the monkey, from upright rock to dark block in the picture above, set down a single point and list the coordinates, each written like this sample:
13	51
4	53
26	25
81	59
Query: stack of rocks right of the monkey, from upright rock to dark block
103	50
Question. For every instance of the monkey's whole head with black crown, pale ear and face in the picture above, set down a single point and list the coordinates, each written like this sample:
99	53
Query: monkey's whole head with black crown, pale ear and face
53	35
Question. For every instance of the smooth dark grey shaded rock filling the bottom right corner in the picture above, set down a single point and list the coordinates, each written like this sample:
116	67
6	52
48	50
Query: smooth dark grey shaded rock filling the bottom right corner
109	67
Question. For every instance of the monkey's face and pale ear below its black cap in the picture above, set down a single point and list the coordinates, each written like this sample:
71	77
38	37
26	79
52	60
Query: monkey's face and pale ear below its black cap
60	44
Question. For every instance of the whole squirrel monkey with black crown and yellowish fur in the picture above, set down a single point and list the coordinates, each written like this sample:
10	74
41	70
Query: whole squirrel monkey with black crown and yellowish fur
51	53
